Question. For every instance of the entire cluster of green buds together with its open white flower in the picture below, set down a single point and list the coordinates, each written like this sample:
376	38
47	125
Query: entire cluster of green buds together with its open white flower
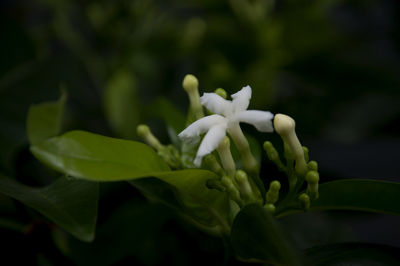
213	152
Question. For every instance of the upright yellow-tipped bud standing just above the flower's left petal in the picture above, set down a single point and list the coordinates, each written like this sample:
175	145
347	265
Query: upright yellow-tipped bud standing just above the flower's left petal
191	86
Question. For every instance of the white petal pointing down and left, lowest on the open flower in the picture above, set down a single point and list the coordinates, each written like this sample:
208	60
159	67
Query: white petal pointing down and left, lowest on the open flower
210	142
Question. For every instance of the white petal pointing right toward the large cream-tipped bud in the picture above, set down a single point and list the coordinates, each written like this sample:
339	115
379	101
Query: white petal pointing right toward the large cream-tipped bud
261	120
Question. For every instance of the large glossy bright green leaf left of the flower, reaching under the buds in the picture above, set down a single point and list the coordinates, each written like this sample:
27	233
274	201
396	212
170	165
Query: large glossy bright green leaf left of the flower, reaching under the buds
98	158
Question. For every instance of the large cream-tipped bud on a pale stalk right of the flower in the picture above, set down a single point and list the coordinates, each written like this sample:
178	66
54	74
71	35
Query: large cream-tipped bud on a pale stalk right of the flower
285	127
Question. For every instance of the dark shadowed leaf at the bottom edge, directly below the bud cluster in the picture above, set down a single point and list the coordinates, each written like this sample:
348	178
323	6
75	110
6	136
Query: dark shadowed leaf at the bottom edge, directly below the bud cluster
256	236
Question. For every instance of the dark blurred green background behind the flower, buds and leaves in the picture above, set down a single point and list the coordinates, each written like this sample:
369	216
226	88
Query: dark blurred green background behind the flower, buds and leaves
333	65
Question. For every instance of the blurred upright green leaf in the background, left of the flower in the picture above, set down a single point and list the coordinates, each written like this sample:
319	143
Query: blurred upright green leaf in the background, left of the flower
121	104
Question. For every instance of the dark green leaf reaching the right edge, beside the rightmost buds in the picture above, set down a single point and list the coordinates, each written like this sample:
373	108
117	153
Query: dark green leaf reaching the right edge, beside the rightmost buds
359	194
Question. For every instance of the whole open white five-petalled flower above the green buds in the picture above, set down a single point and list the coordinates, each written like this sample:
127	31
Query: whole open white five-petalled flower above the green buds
227	115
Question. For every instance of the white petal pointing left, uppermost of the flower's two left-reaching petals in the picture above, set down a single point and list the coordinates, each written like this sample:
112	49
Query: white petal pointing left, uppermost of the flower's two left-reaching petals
200	126
